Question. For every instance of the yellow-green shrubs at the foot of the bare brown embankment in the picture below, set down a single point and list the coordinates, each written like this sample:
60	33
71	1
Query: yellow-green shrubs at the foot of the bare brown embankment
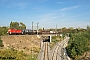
9	54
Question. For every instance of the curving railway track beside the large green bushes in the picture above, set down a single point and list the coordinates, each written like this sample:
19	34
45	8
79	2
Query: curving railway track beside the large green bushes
58	52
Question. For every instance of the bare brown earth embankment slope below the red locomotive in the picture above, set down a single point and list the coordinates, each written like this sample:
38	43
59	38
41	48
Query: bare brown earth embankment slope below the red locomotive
22	42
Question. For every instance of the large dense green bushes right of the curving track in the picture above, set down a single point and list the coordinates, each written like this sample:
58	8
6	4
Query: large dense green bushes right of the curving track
78	44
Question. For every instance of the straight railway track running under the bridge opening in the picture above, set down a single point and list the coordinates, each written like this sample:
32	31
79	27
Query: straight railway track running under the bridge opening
44	53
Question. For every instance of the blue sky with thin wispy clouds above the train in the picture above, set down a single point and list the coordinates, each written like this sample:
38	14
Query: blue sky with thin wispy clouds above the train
64	13
